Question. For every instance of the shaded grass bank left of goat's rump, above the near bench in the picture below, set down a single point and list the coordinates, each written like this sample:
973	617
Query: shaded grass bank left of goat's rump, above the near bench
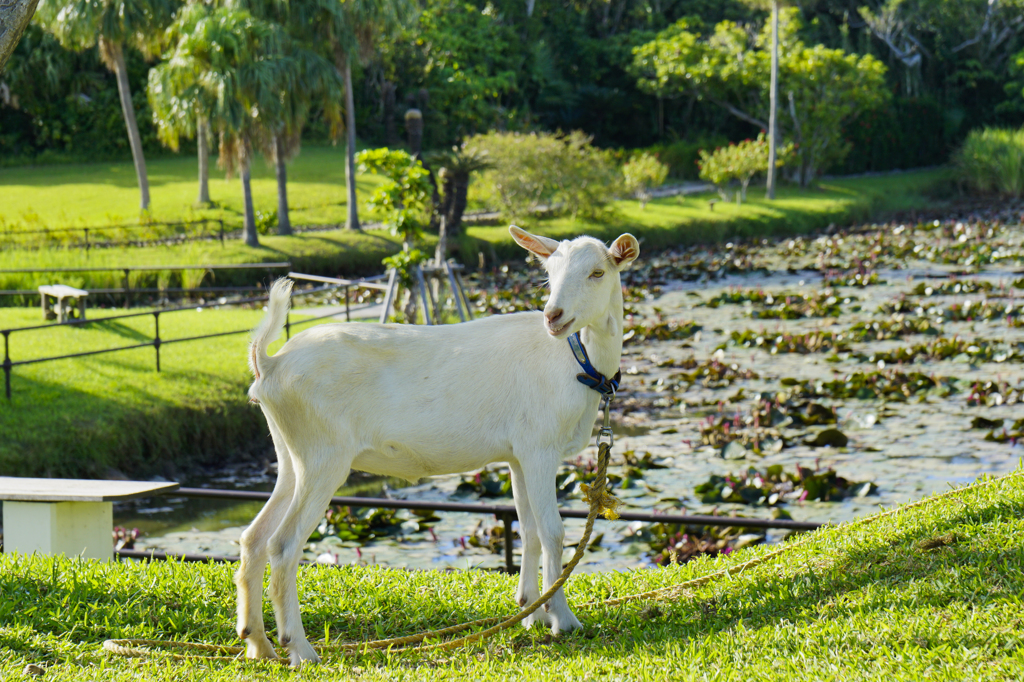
51	430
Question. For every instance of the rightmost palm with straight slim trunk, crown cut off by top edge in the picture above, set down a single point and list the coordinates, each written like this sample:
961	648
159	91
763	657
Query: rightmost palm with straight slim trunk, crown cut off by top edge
348	32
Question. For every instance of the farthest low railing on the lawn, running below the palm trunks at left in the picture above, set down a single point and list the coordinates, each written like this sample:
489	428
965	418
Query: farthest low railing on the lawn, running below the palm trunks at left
92	238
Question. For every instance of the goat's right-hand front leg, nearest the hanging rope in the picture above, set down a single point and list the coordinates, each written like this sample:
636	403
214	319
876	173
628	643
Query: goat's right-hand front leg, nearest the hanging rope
541	492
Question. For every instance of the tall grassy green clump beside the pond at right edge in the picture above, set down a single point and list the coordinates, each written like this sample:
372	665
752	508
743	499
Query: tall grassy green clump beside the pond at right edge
992	161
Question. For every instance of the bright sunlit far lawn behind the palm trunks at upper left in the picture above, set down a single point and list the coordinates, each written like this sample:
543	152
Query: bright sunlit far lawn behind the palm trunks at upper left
105	194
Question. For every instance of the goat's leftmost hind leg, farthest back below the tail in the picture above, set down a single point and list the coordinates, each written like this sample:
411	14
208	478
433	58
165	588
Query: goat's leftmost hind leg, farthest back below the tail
249	577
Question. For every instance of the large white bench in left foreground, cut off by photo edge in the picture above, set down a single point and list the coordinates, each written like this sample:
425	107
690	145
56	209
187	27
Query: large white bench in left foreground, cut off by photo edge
66	517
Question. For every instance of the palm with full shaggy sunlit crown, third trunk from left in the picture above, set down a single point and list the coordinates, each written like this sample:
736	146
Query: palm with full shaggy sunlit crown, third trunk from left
232	68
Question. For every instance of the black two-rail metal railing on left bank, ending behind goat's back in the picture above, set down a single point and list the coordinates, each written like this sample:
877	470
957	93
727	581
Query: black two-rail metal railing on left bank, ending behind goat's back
157	343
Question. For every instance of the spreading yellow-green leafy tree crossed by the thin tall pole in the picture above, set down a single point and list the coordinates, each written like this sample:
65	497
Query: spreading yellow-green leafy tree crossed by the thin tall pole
731	68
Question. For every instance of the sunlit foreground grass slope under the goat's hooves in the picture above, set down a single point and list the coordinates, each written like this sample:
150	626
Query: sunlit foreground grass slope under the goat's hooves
932	593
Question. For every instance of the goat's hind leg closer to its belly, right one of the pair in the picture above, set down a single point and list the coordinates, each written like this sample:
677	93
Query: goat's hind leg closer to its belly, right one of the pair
314	488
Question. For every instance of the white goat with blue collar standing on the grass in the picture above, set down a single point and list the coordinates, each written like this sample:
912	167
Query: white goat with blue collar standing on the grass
415	402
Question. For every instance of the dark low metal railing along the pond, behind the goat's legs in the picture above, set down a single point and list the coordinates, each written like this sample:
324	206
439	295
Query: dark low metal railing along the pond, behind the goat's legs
504	514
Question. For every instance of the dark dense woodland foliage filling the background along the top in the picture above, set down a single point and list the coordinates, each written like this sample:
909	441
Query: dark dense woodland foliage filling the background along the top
473	66
